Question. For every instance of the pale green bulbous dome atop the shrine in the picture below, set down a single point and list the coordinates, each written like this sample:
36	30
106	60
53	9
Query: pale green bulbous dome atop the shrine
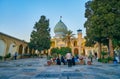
60	27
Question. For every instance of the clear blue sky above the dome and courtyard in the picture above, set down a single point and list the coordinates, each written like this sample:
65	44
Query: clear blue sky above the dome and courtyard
17	17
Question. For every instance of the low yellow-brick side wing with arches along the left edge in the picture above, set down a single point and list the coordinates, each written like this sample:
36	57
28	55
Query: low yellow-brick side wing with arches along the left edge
10	44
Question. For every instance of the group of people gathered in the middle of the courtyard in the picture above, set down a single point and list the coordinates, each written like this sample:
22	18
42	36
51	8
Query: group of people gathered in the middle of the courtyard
71	60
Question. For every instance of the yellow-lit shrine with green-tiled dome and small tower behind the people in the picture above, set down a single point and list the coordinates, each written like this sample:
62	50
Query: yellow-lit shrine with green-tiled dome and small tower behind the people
77	44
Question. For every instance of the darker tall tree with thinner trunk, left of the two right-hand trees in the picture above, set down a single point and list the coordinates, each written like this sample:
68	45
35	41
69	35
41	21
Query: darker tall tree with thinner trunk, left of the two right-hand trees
92	31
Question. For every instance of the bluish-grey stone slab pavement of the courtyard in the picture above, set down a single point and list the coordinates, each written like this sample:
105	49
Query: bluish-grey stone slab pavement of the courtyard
34	68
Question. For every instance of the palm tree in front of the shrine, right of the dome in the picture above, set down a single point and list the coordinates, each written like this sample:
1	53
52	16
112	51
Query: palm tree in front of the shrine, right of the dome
68	36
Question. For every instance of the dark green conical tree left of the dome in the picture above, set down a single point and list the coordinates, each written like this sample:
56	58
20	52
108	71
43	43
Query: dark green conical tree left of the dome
40	36
